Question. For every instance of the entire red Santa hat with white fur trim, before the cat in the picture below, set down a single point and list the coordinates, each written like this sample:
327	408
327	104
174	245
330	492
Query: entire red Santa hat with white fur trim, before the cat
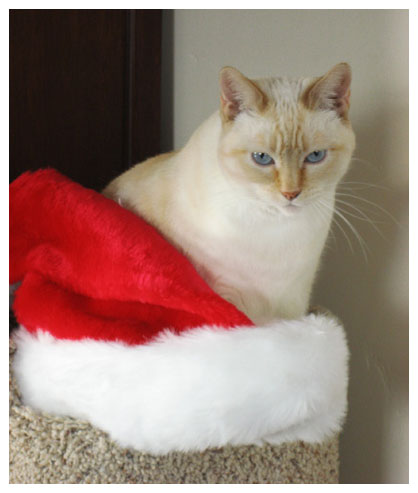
118	328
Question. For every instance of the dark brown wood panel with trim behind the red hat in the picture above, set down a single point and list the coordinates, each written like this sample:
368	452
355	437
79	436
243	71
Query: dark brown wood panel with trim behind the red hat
82	85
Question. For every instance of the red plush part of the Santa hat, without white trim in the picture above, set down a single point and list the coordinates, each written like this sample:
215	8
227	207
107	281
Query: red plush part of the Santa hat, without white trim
91	269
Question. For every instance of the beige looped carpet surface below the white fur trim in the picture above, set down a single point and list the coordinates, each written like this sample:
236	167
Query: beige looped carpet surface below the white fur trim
51	449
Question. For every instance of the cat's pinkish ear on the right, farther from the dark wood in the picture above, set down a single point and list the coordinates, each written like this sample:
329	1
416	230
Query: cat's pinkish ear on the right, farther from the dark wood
332	91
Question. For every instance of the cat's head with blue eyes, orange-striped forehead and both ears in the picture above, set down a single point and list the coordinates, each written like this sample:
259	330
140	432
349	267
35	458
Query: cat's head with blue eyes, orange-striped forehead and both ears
288	142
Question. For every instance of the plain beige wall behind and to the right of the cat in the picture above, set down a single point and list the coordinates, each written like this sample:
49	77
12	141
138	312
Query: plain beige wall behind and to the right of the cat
369	294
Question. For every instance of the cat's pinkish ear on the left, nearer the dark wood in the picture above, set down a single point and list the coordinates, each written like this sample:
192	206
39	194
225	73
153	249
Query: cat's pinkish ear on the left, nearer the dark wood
238	94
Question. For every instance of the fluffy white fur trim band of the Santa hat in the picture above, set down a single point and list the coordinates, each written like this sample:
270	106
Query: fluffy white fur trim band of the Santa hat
205	388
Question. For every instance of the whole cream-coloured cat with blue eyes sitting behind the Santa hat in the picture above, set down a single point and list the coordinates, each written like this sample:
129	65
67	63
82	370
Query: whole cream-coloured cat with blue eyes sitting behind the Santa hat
249	199
